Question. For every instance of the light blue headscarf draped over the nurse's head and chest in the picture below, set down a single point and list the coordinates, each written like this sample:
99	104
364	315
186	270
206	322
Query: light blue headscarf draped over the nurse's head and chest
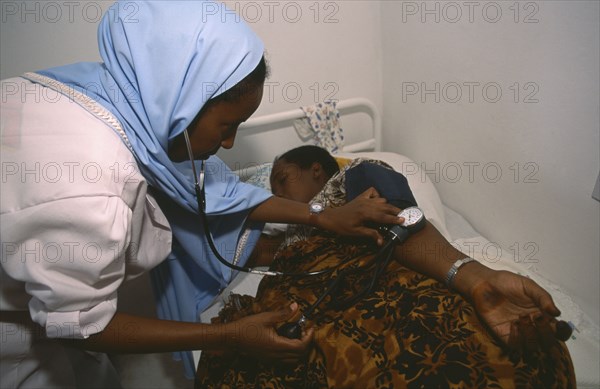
162	61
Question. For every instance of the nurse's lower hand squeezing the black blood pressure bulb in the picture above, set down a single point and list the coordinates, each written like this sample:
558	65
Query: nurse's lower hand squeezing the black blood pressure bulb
256	336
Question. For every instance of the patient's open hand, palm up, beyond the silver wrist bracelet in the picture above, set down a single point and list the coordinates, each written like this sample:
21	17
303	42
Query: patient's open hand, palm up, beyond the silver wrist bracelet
517	310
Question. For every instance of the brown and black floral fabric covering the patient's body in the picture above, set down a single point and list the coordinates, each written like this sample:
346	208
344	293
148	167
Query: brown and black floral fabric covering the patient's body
410	332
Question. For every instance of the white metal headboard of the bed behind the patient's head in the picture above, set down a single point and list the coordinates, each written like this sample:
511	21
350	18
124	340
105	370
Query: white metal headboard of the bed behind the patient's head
262	138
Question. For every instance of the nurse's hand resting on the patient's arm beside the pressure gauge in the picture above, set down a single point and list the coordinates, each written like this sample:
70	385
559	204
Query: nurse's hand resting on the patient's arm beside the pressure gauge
357	217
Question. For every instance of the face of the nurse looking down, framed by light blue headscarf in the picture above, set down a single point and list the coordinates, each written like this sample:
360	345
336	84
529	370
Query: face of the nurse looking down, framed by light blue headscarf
215	127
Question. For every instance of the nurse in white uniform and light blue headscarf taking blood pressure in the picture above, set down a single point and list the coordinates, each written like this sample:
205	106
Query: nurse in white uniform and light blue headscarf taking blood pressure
97	189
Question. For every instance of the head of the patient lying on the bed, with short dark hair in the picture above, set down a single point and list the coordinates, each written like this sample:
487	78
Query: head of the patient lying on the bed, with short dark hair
299	174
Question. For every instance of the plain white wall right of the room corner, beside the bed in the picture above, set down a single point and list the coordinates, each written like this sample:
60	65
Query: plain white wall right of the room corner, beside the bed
521	165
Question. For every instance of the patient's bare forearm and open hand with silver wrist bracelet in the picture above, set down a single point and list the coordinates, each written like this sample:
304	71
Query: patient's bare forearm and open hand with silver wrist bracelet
515	308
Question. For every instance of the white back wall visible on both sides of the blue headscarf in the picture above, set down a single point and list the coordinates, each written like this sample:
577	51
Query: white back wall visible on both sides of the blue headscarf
307	44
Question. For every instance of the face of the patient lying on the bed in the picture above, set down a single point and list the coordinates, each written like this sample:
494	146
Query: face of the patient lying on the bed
289	181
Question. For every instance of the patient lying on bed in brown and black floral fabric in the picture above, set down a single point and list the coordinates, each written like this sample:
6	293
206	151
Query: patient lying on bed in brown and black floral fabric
486	329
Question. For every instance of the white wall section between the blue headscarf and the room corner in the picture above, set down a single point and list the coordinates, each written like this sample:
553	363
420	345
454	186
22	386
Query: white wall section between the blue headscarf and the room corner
327	49
